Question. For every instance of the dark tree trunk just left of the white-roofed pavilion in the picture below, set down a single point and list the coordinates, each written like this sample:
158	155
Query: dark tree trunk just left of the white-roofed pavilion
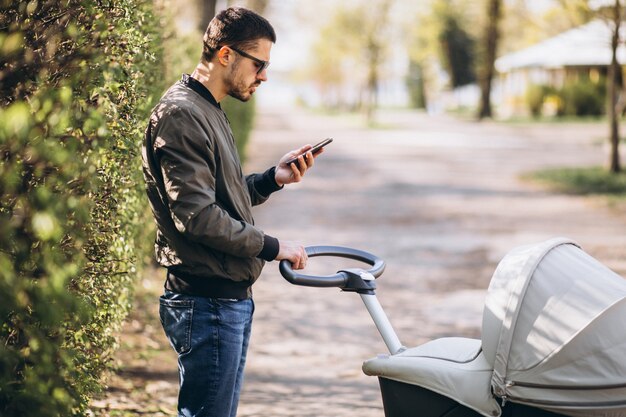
494	13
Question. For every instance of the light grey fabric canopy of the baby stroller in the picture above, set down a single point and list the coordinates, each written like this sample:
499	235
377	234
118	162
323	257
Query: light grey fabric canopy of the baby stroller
554	329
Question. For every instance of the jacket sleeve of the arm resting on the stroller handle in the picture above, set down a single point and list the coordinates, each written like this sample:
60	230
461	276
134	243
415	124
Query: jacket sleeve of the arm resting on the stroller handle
188	165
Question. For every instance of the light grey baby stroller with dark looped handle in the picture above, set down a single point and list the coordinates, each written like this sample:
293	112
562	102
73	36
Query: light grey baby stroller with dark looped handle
553	340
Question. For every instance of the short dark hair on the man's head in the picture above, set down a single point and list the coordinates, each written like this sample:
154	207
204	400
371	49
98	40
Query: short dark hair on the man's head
237	27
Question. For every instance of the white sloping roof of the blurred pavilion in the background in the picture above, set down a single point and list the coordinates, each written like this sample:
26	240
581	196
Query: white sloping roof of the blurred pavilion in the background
587	45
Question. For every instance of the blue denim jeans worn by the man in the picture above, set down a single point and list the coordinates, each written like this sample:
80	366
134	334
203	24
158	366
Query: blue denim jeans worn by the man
211	338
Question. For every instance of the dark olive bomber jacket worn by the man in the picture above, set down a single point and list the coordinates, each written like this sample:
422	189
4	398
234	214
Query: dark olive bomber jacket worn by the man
200	199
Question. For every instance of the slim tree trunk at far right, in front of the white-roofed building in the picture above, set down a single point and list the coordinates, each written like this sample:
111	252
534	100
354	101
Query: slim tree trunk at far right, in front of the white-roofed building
613	87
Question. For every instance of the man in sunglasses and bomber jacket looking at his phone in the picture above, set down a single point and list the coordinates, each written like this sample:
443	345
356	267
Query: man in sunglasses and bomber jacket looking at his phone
202	203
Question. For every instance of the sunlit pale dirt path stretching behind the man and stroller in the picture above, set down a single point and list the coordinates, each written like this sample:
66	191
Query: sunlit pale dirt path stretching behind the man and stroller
438	199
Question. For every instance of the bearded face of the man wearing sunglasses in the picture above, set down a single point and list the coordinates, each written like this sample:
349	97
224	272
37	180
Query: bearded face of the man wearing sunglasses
244	76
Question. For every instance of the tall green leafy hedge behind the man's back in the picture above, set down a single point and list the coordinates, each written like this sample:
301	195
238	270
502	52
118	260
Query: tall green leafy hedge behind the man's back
78	78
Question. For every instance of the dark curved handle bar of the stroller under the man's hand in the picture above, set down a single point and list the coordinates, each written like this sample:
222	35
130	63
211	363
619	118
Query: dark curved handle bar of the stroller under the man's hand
341	278
